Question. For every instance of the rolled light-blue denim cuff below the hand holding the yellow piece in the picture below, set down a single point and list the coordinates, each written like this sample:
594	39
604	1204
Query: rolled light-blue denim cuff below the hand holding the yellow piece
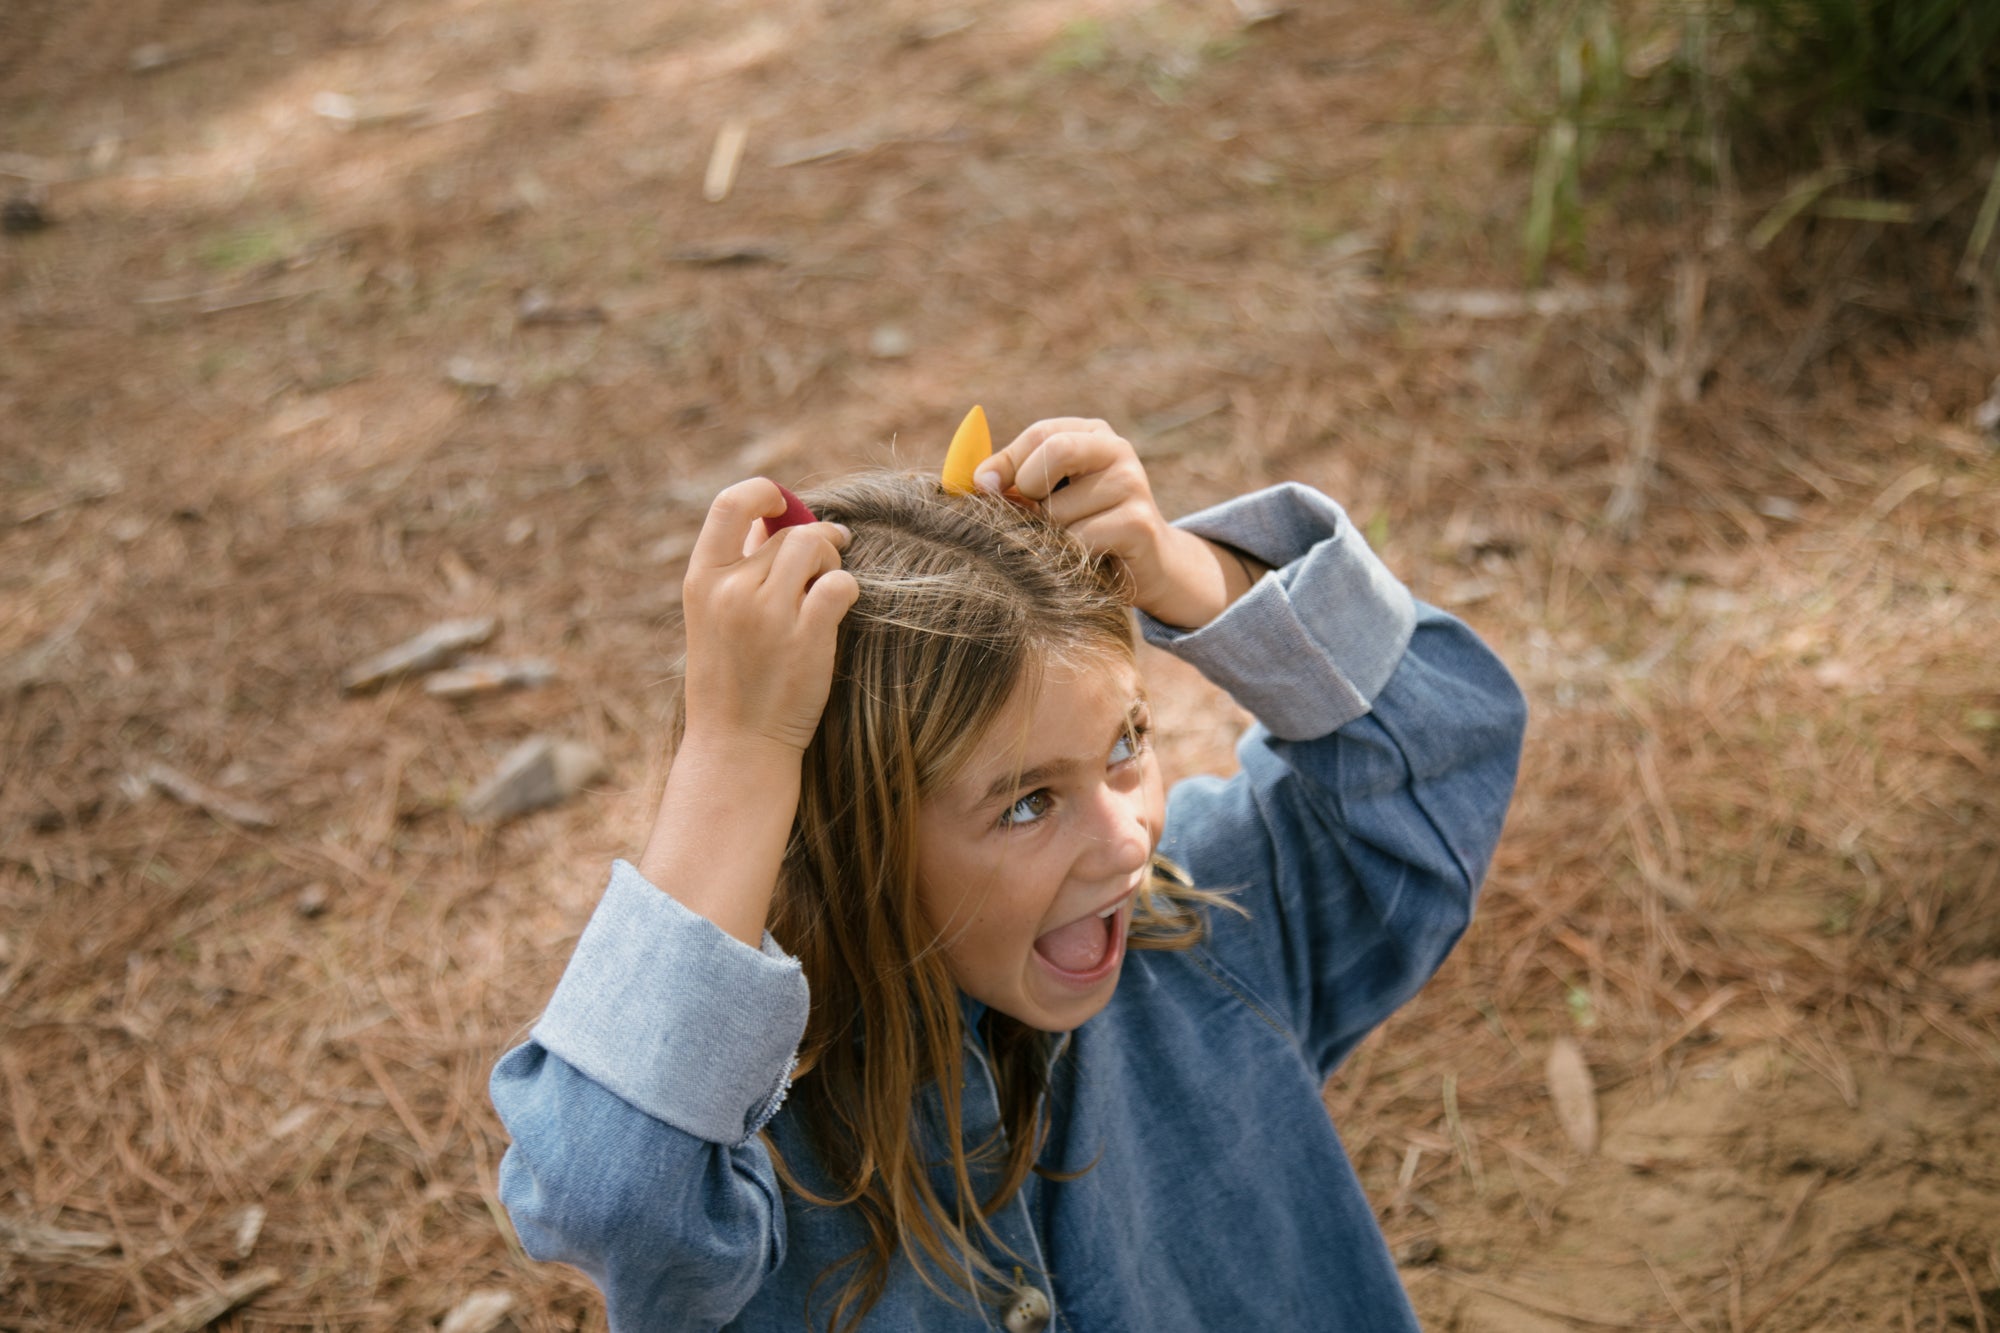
1315	641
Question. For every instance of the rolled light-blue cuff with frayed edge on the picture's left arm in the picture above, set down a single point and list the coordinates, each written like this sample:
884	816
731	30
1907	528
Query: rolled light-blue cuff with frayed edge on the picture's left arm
675	1016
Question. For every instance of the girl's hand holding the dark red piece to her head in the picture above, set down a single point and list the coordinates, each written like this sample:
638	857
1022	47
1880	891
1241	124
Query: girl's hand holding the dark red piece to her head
763	613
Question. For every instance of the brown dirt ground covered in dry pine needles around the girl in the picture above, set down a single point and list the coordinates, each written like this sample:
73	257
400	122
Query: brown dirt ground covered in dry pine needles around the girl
1755	868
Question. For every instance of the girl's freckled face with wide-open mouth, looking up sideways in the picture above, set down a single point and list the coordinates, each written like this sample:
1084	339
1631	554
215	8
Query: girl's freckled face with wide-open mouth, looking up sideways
1031	860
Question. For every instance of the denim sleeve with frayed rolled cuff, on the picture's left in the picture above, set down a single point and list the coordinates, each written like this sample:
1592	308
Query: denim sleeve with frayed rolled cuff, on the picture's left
635	1108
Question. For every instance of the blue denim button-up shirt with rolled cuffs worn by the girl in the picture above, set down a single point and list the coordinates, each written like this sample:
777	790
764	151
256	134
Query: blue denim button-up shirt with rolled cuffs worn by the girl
1209	1186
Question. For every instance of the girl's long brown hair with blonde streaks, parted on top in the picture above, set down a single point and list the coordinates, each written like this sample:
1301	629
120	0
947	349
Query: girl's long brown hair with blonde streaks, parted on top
961	599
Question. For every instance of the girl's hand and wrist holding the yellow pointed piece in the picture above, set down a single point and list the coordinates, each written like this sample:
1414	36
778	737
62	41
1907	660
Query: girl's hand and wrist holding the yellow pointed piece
1089	479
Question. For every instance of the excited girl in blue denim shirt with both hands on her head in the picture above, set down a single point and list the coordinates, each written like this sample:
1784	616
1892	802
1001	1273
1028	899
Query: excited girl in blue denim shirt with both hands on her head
859	1040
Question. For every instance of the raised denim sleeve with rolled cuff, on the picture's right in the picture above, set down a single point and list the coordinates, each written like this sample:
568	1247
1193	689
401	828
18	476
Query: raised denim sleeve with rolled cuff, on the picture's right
1373	786
